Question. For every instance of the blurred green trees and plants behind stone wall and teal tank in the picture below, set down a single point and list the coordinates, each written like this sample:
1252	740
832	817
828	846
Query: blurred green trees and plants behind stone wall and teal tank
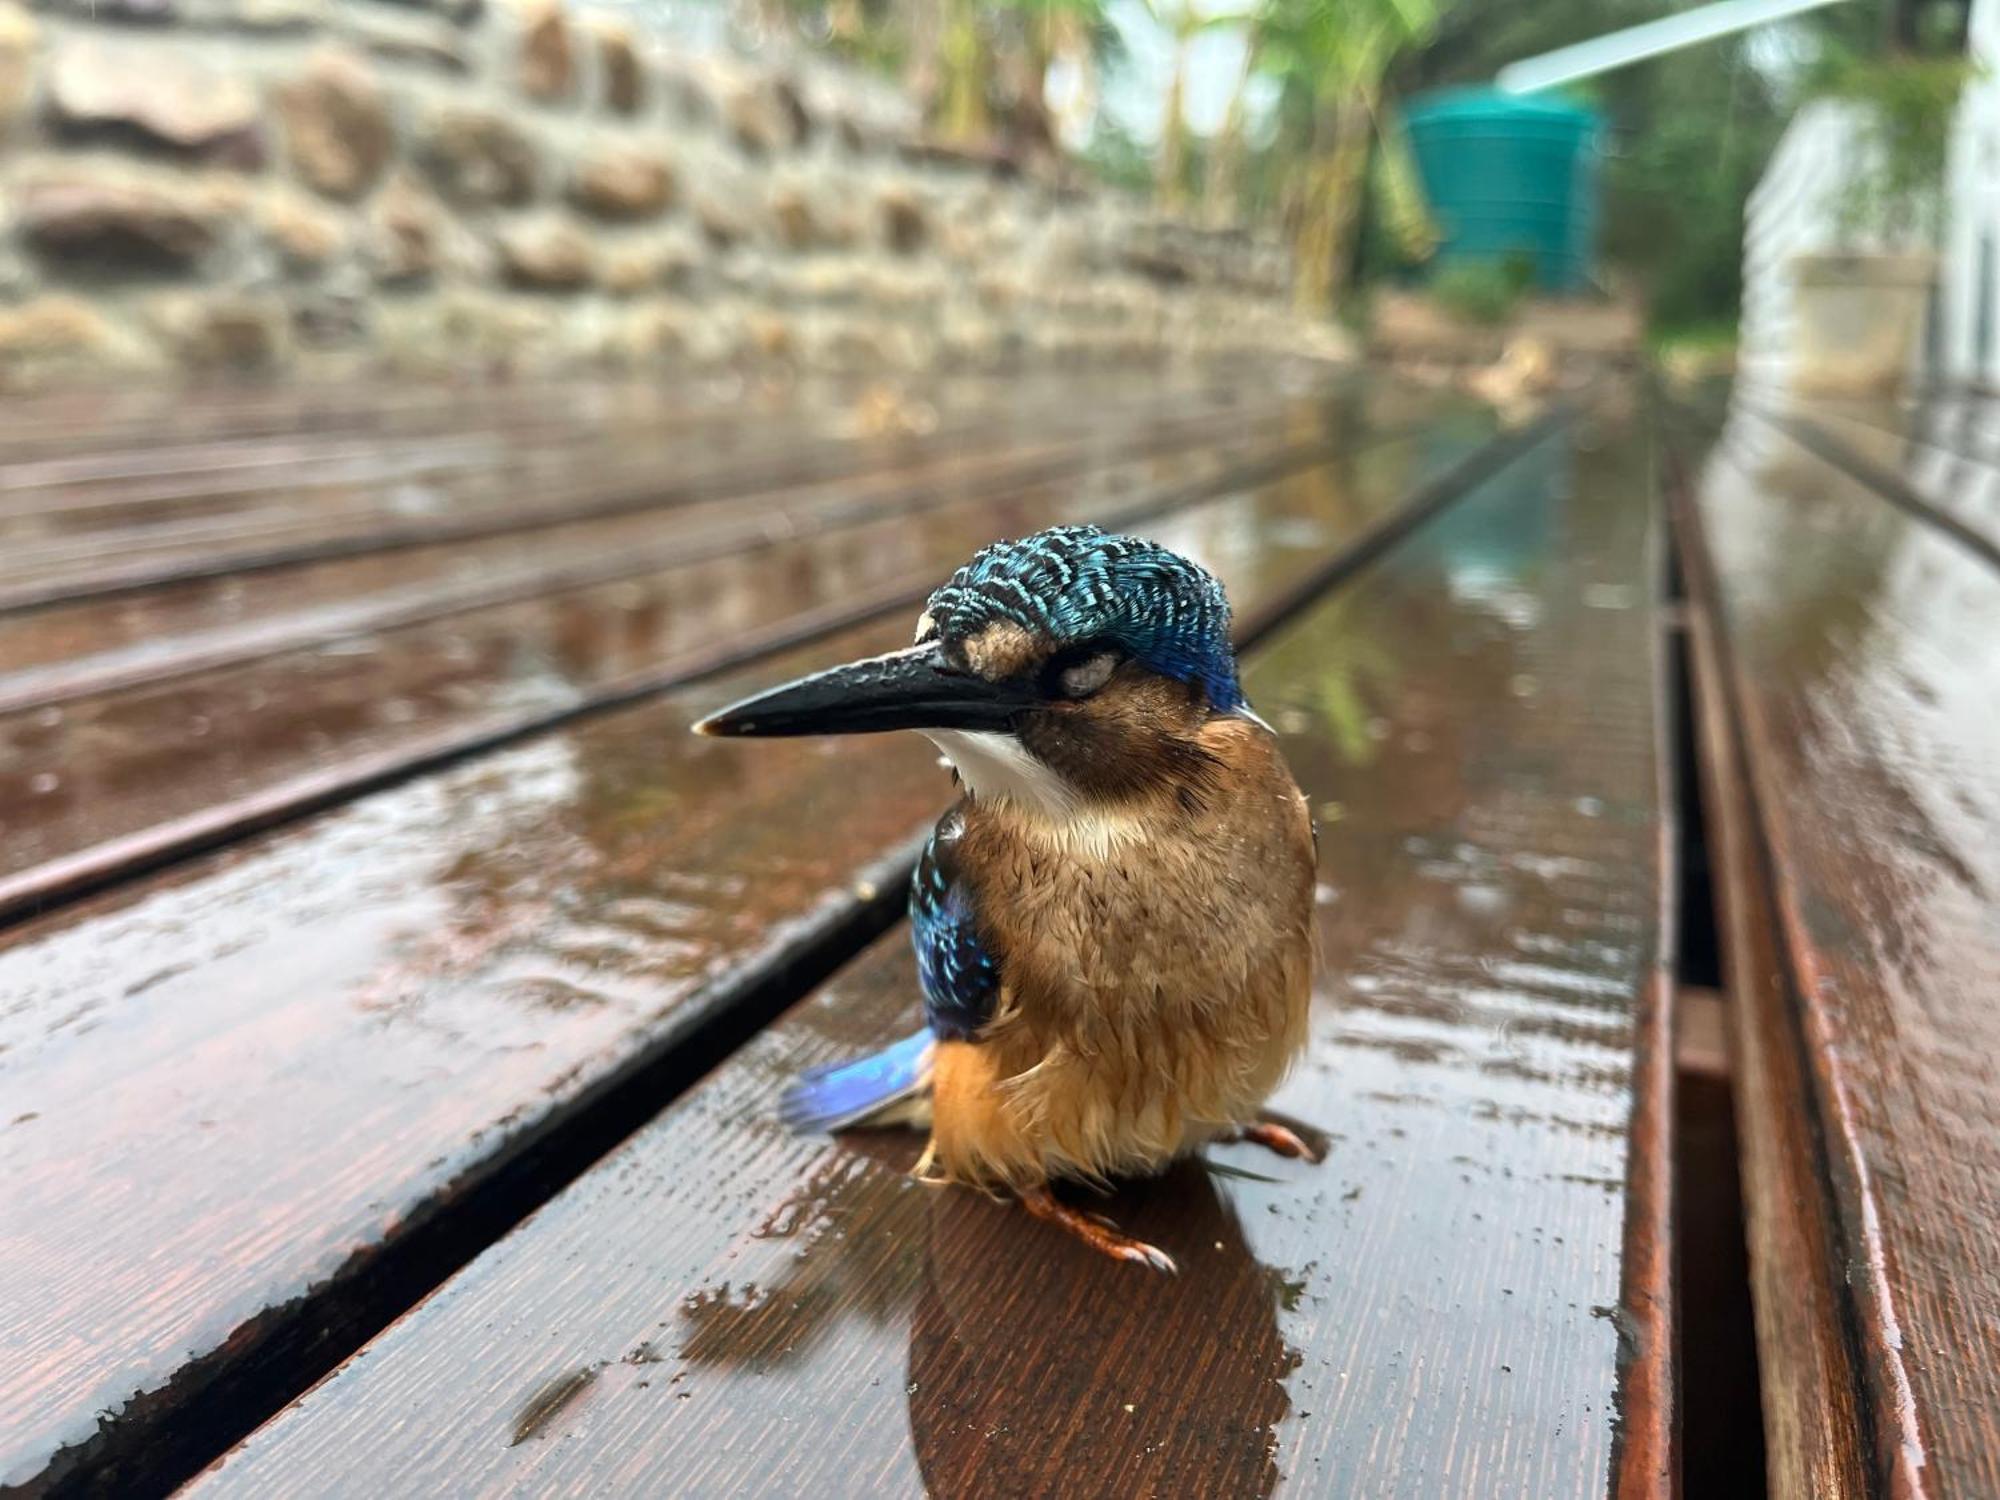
1285	113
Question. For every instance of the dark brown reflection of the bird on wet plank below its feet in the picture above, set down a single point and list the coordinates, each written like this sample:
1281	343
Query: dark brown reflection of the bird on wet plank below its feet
1035	1361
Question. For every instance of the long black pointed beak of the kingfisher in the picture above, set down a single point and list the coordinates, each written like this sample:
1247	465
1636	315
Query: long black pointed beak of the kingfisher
913	689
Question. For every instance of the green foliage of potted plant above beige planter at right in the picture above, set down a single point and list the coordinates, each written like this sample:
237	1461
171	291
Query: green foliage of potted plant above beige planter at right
1909	117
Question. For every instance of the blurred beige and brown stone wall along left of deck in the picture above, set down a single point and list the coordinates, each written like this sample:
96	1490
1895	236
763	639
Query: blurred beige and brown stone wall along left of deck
417	185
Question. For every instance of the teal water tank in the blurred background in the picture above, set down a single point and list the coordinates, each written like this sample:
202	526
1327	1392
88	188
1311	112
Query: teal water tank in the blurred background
1511	177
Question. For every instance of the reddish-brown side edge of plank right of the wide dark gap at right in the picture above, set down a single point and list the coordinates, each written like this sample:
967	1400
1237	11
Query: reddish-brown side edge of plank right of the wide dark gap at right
1815	1439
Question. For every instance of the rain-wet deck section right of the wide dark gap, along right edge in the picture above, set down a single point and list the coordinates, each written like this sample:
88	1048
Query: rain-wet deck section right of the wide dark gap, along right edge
1847	593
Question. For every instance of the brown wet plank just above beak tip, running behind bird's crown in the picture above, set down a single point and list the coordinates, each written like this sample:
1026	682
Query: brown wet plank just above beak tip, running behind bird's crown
113	767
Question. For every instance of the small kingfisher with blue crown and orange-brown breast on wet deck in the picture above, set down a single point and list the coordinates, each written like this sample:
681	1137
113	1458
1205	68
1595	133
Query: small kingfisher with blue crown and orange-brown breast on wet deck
1115	923
